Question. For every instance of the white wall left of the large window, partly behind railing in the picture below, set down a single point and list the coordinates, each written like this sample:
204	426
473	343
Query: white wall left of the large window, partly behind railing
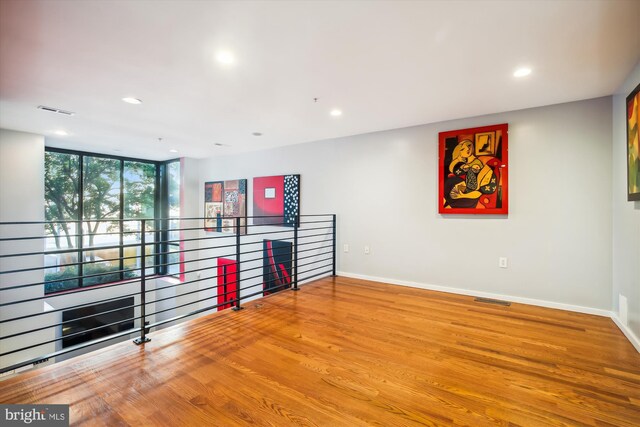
22	199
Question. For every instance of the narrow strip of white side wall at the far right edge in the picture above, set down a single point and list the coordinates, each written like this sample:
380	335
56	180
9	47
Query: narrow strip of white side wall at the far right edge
626	215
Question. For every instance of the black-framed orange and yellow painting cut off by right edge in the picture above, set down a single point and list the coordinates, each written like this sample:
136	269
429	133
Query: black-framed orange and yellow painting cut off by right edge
633	146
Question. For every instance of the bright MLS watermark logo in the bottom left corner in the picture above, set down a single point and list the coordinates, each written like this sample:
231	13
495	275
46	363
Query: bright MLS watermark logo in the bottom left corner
34	415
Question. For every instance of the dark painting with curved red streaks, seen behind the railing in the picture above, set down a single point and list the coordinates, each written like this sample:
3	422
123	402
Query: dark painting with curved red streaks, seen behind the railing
277	256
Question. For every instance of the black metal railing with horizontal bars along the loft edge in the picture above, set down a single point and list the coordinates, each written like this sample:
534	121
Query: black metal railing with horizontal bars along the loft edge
63	294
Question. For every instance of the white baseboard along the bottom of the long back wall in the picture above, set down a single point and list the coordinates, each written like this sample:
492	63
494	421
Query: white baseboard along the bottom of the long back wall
473	293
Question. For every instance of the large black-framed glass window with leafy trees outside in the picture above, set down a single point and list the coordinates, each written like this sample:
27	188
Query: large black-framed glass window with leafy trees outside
94	205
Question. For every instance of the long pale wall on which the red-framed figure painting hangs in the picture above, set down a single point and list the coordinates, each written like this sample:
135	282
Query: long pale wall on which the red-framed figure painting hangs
383	186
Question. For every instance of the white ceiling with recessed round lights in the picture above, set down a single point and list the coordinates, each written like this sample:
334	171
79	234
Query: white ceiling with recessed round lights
385	64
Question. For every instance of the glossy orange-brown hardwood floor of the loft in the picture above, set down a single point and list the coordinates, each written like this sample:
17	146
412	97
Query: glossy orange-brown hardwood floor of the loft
350	352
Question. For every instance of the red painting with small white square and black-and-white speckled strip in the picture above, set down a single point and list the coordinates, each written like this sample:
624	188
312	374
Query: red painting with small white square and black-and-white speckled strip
276	200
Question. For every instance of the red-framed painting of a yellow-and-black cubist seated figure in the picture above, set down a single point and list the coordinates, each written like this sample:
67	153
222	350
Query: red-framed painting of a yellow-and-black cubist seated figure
473	171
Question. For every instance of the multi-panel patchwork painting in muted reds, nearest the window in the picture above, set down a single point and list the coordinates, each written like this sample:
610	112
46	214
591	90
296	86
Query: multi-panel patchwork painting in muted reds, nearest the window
224	201
